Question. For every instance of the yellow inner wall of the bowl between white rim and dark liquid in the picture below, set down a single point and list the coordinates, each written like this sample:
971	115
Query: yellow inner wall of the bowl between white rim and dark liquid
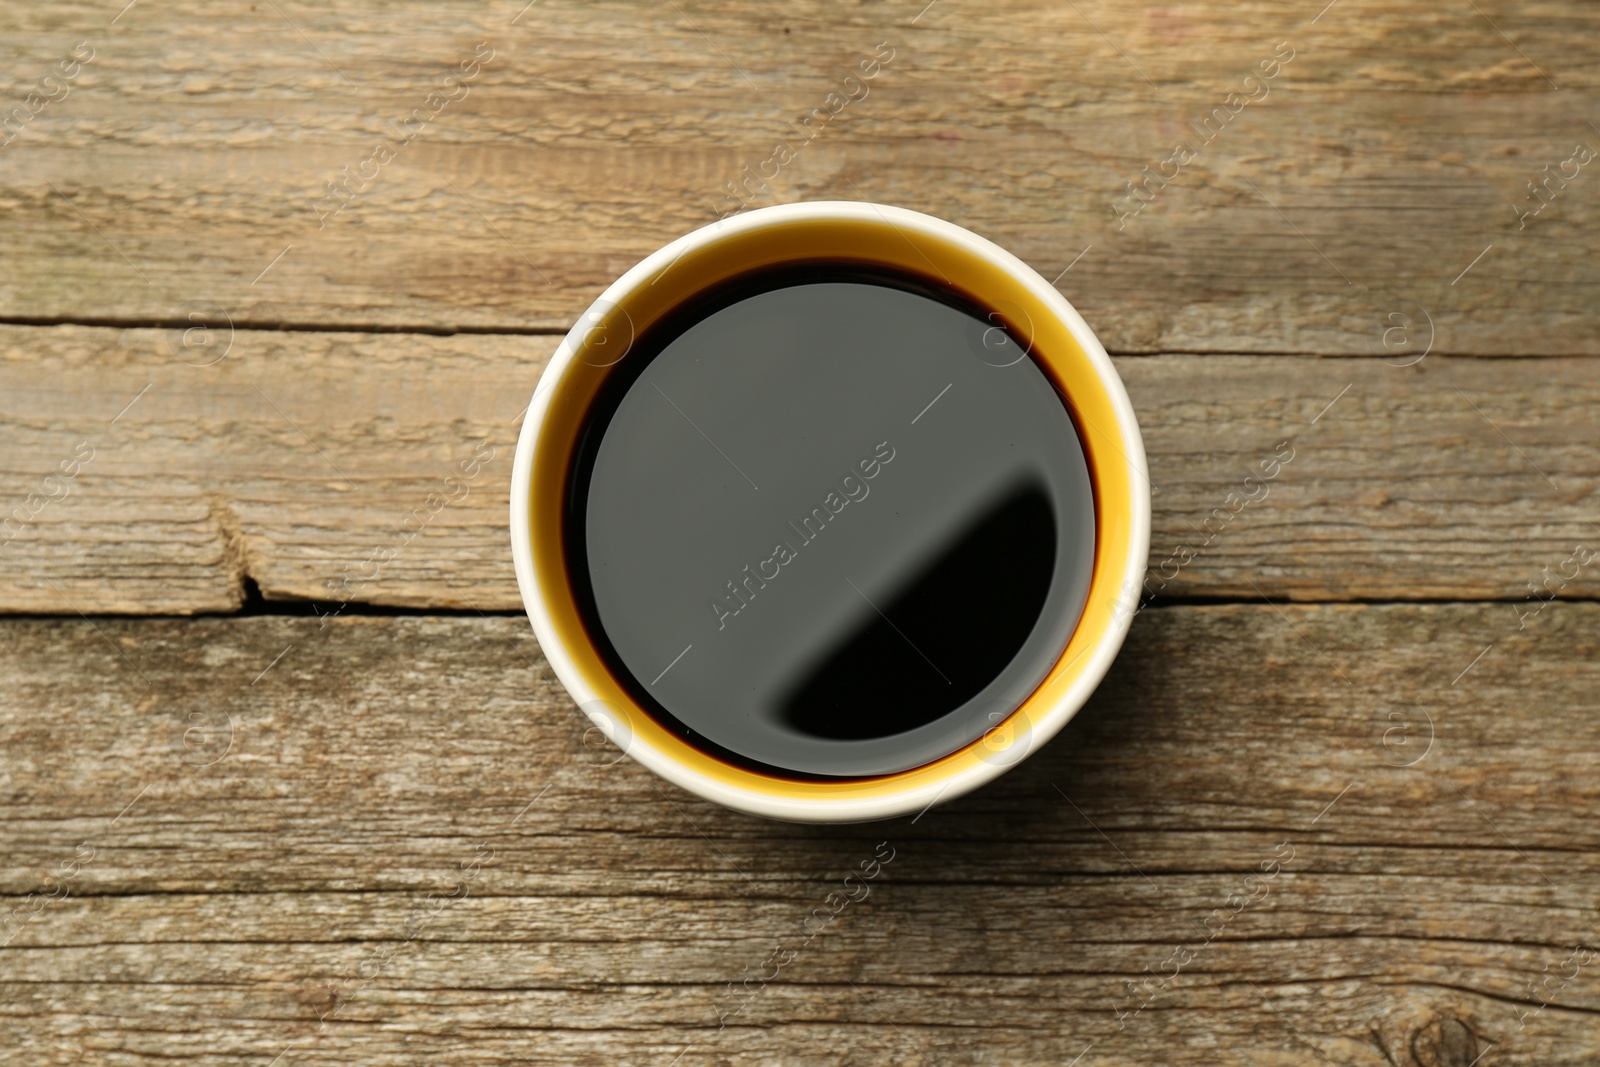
873	244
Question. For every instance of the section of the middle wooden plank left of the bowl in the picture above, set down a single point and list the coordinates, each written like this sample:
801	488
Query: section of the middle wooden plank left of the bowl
294	462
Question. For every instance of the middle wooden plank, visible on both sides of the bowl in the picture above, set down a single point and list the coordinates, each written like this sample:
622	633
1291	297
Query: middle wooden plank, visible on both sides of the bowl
300	457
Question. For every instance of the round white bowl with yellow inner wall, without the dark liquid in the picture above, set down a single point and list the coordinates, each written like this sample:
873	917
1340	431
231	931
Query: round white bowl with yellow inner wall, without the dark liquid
894	239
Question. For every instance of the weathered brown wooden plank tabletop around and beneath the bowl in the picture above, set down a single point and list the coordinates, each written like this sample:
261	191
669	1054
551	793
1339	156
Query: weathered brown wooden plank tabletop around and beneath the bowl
268	278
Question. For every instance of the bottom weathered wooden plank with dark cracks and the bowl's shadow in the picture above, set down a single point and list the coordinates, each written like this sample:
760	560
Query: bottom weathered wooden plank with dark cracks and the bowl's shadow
254	847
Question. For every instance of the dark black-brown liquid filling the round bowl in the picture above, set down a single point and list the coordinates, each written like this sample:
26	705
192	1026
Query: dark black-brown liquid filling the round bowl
831	524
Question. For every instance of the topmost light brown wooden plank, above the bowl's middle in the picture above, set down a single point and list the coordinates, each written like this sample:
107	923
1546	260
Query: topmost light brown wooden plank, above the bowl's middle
1386	158
